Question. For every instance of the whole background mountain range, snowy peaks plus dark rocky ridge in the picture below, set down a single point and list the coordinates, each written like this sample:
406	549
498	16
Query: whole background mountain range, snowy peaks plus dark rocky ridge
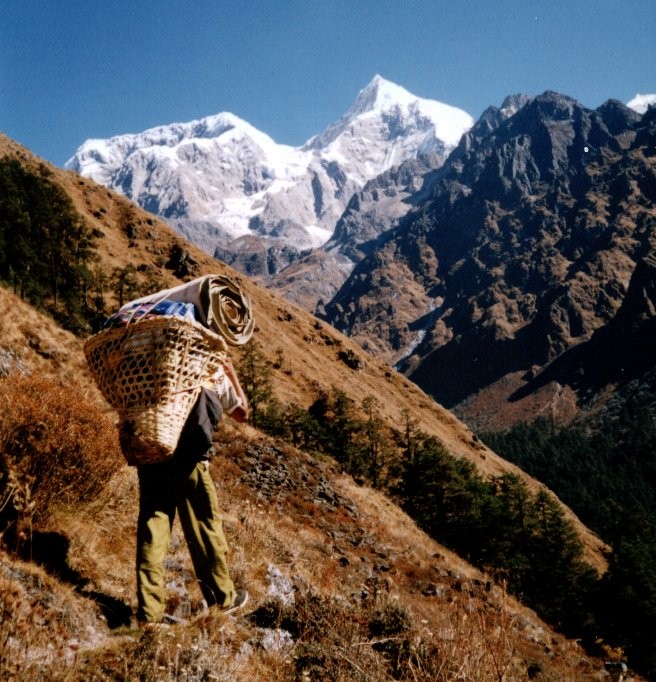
479	258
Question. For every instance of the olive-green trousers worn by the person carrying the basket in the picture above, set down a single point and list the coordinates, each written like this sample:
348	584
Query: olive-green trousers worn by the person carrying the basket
188	489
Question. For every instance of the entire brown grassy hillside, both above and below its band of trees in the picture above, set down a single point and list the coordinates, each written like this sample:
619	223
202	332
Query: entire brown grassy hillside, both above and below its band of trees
345	552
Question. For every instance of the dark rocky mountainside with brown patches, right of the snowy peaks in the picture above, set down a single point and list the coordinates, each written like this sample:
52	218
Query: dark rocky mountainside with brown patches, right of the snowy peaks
525	247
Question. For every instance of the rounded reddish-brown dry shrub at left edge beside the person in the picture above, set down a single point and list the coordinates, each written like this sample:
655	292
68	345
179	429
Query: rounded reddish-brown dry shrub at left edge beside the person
56	447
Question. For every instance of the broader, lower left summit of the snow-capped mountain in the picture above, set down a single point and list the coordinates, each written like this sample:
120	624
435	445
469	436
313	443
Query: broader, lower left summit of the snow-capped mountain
217	171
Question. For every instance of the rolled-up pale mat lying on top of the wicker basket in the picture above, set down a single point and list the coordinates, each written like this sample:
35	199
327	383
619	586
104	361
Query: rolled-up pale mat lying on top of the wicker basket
221	305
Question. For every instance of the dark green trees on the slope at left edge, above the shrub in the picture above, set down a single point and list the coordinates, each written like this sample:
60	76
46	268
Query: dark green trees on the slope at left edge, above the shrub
48	253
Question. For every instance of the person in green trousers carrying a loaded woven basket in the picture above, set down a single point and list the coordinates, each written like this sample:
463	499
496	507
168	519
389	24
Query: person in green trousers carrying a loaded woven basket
161	362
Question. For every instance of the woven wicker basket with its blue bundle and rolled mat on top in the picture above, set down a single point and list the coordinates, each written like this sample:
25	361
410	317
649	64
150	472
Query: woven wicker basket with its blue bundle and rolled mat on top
155	353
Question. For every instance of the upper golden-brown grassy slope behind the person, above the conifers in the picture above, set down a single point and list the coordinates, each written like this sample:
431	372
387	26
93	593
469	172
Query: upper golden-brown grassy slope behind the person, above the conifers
310	347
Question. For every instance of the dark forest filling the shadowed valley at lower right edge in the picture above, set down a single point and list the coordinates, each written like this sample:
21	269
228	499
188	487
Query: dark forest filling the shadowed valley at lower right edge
605	470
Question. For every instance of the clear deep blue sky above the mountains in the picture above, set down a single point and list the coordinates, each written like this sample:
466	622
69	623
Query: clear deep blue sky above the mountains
75	69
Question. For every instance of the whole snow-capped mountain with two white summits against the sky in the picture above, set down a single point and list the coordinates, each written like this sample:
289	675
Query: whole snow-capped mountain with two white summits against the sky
224	184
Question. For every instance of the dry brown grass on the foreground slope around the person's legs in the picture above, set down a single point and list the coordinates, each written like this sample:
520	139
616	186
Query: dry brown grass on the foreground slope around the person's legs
373	597
